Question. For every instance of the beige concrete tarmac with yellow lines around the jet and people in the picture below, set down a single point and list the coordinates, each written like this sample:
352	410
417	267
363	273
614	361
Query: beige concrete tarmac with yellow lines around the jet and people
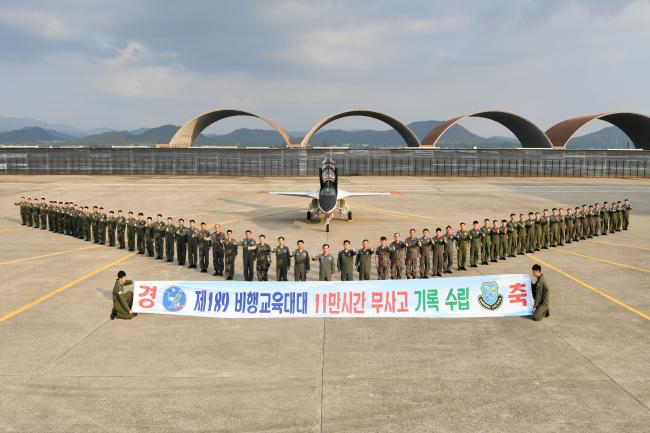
65	367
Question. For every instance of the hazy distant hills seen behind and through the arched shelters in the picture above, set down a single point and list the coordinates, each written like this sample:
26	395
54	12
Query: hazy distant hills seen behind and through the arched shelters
456	136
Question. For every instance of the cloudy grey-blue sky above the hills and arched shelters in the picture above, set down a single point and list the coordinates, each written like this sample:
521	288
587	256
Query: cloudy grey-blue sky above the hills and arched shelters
137	63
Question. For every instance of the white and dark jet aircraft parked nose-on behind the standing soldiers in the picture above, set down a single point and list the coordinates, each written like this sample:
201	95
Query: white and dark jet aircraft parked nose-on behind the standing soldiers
328	200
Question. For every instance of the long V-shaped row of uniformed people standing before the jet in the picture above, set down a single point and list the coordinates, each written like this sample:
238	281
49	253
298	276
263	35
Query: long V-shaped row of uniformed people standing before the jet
413	257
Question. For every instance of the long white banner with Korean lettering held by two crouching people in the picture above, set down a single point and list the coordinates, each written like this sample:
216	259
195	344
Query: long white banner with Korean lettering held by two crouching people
481	296
